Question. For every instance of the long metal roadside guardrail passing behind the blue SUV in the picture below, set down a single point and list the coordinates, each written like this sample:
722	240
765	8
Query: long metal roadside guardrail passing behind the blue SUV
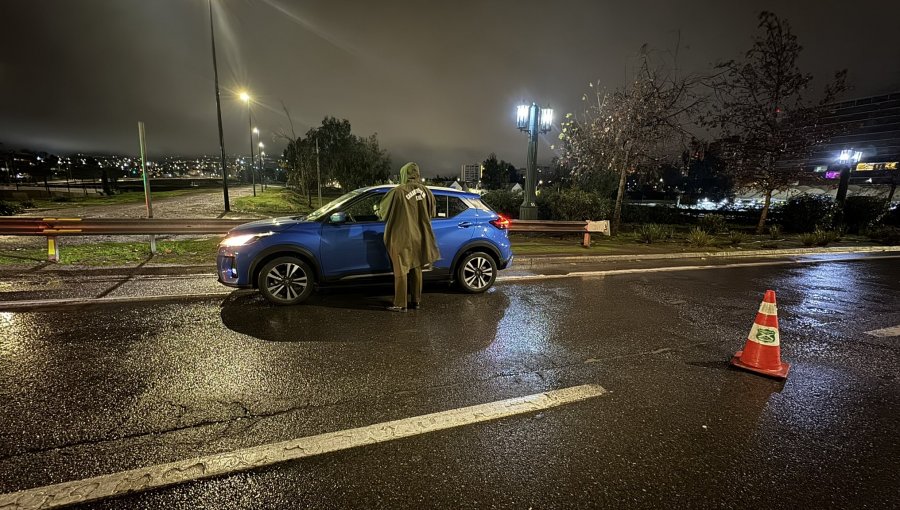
53	227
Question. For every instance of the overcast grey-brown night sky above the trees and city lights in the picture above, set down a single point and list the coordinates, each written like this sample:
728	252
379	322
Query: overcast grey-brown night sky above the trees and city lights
438	81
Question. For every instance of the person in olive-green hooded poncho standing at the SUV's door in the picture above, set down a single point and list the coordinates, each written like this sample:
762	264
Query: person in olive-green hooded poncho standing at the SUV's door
408	237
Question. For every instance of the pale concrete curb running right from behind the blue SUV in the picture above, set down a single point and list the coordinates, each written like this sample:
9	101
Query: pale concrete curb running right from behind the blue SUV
524	262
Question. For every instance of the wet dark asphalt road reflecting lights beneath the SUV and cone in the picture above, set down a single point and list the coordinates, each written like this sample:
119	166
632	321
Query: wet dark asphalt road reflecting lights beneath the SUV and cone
95	389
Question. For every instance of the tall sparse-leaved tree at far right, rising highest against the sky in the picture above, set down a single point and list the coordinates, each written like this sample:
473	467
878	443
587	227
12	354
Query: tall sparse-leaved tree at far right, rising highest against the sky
762	102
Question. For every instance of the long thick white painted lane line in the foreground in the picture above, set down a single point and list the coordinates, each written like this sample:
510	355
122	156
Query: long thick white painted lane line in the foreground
135	480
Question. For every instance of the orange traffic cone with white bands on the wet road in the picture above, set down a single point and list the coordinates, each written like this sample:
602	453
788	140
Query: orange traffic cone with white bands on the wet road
762	352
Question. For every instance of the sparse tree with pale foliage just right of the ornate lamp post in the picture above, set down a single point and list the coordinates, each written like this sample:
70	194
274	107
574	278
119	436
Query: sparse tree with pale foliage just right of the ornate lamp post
630	126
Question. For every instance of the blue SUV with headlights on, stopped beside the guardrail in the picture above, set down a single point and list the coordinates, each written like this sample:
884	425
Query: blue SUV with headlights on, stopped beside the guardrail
343	242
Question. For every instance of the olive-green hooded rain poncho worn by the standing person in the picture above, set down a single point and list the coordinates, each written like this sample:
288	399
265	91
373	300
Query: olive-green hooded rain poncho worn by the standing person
408	210
